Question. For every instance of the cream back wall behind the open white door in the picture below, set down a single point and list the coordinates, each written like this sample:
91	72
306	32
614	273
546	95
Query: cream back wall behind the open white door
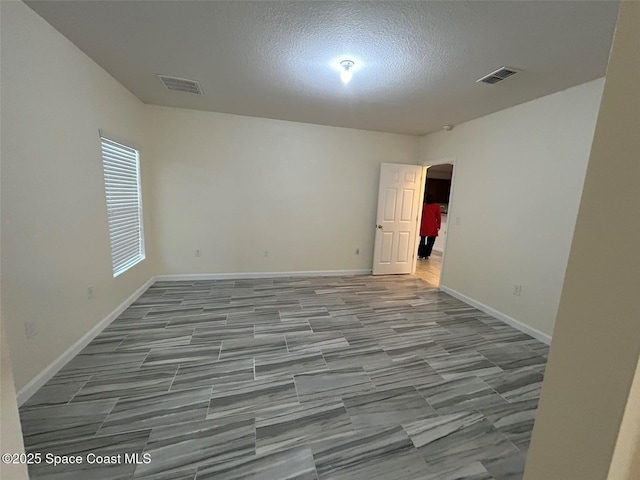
234	186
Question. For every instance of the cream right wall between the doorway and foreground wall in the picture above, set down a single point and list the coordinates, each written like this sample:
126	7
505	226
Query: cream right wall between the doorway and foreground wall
518	179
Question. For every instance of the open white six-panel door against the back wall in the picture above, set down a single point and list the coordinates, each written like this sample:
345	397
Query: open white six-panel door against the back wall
397	219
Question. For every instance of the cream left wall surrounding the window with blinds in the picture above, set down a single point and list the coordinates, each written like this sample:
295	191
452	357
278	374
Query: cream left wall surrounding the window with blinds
54	225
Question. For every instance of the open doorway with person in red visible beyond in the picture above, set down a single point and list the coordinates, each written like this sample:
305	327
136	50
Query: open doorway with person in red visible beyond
438	181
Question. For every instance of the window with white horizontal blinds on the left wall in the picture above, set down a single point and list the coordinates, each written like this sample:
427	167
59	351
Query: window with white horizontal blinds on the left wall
124	204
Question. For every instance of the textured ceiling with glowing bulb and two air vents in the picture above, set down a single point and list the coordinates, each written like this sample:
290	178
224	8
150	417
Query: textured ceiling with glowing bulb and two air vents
416	62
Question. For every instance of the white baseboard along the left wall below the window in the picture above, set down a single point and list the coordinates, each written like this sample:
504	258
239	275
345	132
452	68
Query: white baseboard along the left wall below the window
43	377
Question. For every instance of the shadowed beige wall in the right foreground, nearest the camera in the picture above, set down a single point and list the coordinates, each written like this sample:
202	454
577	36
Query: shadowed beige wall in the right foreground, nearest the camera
596	342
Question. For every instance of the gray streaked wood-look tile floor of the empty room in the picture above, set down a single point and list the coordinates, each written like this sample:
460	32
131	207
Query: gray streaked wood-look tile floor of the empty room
293	378
